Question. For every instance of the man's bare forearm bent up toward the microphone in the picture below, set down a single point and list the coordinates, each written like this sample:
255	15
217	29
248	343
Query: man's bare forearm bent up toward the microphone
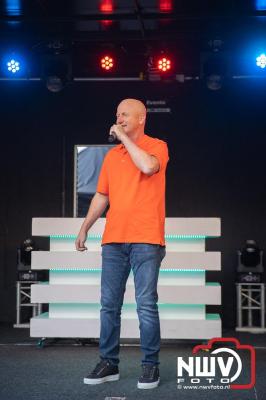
147	163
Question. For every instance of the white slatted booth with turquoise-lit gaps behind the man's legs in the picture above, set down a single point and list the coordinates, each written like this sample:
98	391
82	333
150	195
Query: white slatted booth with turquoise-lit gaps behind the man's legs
73	290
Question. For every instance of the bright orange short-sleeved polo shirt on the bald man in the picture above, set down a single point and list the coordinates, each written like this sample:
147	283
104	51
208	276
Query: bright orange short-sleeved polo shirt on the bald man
137	201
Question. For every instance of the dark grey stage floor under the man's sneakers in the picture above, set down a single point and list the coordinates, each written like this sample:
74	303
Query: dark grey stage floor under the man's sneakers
56	371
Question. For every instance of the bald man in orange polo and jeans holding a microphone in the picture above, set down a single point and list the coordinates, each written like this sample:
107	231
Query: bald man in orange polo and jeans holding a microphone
132	182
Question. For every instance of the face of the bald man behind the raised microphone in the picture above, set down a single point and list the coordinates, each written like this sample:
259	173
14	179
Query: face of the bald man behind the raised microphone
128	117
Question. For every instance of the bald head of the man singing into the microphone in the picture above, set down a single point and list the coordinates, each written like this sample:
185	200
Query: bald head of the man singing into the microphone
131	115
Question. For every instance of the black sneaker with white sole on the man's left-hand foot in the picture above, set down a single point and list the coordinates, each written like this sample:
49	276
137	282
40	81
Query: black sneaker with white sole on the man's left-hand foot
103	372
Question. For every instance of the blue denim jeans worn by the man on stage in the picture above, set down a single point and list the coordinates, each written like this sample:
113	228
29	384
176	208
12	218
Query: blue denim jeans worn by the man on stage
117	261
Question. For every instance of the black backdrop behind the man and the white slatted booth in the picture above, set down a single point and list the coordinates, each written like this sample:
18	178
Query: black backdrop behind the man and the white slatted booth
216	169
